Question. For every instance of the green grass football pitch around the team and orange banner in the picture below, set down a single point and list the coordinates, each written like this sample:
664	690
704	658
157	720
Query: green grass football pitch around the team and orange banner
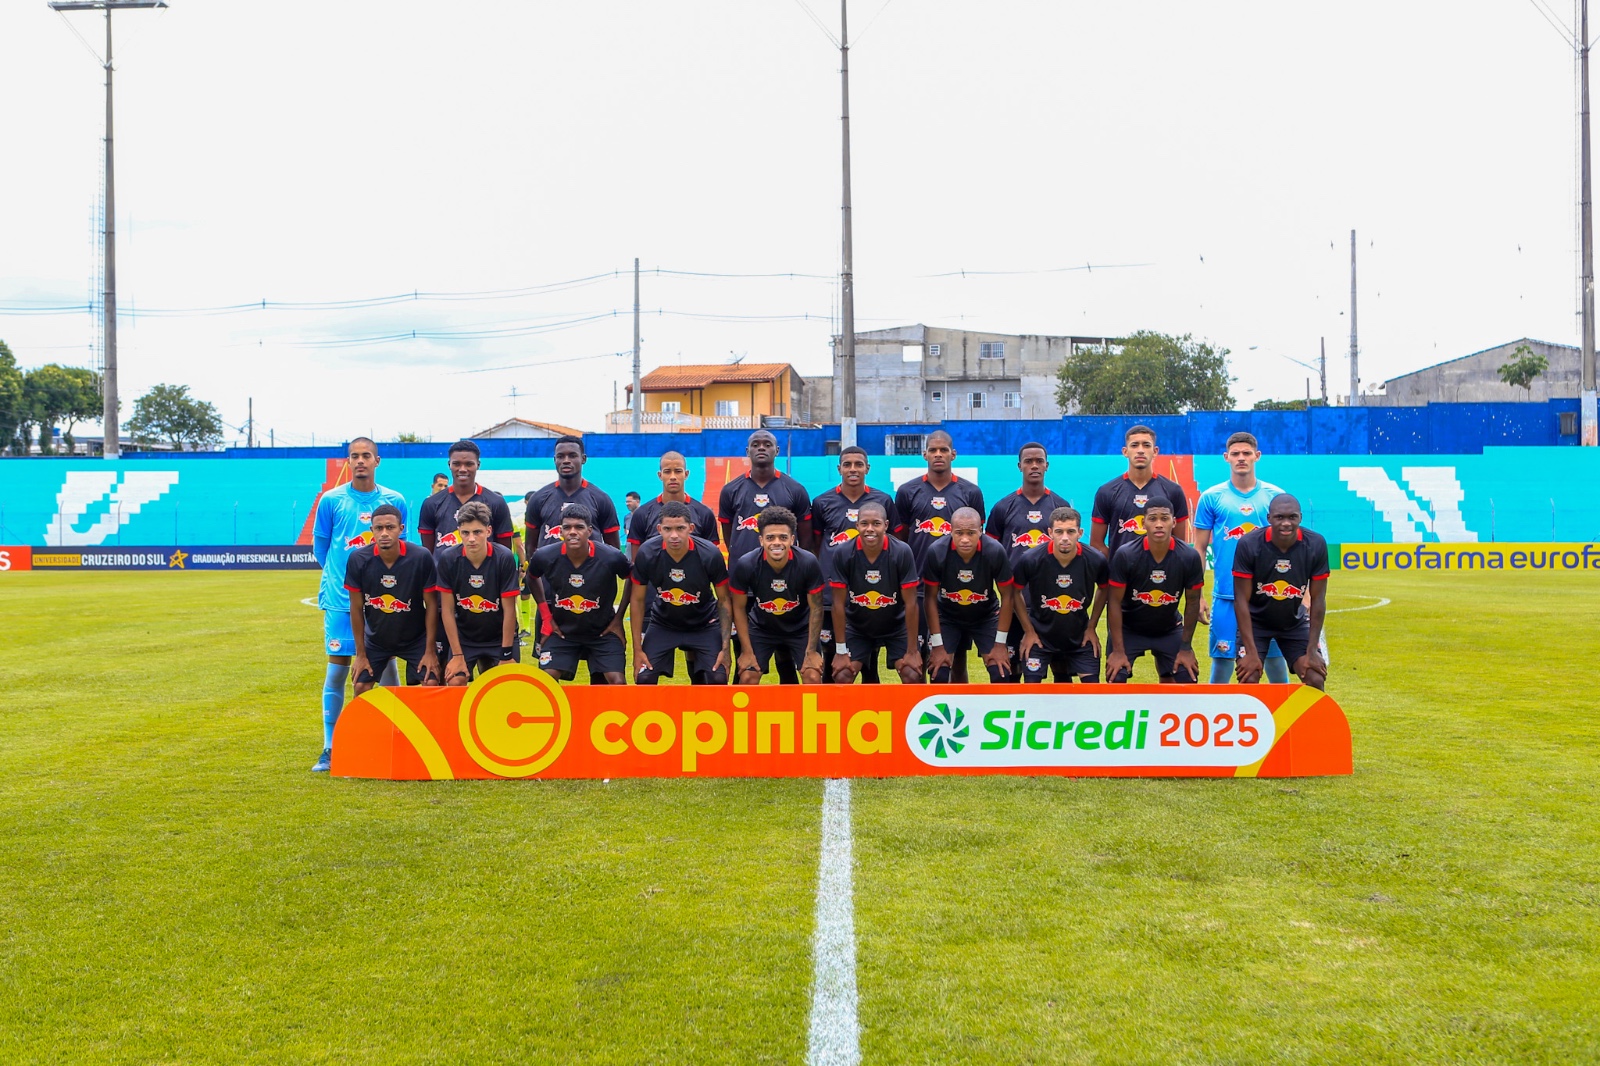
177	888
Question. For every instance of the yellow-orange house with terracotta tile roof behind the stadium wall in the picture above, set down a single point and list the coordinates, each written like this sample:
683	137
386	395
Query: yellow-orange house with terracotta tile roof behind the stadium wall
713	396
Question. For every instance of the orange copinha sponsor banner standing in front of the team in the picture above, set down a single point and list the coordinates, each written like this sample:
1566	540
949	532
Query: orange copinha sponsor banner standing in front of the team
518	723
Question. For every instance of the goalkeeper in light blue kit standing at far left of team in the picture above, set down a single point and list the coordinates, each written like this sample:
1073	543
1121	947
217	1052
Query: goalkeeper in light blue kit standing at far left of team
343	524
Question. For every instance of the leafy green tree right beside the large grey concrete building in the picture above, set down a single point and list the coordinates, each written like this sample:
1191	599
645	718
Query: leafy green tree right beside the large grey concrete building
1146	374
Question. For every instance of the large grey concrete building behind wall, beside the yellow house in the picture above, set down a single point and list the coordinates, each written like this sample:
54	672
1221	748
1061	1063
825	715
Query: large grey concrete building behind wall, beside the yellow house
927	375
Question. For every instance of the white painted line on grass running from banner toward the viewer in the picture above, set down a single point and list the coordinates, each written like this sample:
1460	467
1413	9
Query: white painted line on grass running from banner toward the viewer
836	1033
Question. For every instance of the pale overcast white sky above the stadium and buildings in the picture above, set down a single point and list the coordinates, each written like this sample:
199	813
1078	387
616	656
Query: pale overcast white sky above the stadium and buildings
1209	159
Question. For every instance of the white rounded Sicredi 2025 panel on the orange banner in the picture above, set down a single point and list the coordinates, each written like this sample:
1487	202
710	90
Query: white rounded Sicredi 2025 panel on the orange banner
1082	731
